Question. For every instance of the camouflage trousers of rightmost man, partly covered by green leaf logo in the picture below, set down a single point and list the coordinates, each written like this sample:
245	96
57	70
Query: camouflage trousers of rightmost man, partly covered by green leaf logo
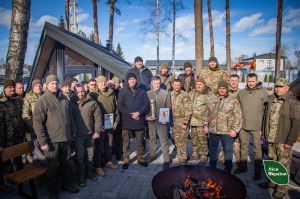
278	153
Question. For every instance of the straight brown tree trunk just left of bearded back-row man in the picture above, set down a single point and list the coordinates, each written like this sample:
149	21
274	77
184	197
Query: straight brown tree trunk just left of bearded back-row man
198	36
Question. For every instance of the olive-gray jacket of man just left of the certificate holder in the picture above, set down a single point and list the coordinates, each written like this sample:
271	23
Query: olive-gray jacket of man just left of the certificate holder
87	116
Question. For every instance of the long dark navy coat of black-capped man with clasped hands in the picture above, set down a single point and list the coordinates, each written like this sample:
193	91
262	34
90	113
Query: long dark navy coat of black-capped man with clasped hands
133	101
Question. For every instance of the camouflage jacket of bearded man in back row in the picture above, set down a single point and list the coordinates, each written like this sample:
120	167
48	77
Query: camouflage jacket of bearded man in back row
212	78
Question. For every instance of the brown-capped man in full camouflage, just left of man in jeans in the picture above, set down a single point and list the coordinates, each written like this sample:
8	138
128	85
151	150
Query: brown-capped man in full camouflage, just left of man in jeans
199	97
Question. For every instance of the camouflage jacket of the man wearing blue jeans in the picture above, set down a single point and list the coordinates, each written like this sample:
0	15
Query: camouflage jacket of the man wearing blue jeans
224	115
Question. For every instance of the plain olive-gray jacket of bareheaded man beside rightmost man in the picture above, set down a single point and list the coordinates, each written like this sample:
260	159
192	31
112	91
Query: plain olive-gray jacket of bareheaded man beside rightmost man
253	103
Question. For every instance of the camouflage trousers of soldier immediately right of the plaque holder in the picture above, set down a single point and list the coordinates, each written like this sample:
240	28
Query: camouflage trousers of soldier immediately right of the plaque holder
180	137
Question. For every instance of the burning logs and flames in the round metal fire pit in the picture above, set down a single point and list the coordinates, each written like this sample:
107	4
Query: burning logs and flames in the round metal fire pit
194	189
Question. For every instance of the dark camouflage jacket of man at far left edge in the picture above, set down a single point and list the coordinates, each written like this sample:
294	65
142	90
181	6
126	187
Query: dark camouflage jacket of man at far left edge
12	120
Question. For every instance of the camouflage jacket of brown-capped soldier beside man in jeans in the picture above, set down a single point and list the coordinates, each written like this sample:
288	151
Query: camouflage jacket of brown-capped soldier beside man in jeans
199	102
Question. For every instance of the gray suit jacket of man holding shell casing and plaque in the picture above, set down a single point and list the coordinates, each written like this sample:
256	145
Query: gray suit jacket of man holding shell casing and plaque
162	99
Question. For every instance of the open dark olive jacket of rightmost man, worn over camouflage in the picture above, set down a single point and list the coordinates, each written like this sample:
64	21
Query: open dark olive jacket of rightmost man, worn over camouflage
289	119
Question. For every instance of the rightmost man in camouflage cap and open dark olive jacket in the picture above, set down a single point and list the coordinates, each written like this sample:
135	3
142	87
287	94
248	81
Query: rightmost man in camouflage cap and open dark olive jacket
281	127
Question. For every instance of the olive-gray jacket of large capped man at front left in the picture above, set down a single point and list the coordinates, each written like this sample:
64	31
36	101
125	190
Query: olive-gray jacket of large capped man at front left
52	119
